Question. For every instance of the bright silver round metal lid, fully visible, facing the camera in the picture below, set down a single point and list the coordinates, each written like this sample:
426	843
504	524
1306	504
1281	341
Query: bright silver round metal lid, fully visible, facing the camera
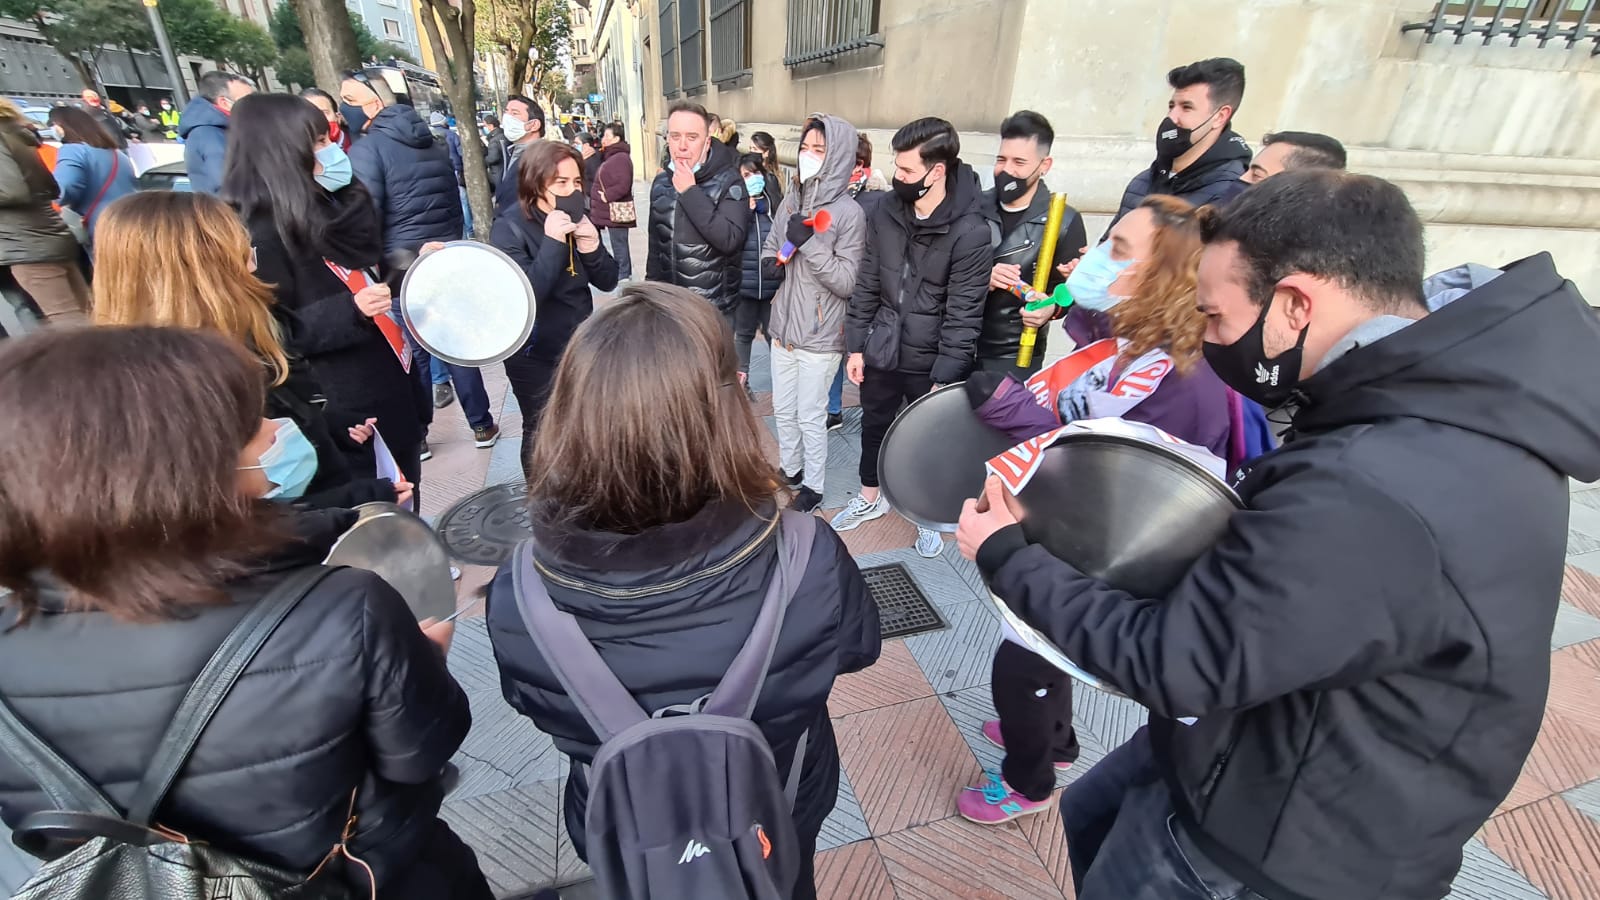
468	303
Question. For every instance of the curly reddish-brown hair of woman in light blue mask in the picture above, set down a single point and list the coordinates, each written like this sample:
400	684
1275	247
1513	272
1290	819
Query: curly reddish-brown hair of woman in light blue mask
1162	311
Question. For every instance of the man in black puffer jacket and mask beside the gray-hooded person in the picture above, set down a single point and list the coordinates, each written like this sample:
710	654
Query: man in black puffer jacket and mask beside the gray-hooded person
919	302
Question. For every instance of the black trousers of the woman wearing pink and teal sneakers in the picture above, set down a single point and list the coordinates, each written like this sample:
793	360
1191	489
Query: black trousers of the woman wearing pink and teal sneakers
1034	701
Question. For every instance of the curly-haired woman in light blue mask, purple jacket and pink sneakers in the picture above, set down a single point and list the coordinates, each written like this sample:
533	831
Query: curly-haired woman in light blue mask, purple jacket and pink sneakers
1138	360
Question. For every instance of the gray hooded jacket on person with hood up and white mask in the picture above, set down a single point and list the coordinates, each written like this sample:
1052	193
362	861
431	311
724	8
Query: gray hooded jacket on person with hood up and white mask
809	311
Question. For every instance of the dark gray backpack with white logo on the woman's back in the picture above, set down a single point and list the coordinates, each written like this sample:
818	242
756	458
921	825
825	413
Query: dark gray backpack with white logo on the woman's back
686	803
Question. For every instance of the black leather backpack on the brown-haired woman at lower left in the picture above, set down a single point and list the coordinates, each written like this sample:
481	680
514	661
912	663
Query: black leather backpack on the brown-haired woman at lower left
94	851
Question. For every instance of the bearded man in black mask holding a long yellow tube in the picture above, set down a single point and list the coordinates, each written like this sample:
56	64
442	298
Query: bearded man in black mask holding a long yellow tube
1018	209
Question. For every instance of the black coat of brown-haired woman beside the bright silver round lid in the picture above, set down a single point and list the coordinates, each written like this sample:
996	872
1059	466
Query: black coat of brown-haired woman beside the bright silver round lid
564	299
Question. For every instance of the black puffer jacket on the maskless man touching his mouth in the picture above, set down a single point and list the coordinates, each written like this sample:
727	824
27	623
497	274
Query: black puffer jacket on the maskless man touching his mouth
697	239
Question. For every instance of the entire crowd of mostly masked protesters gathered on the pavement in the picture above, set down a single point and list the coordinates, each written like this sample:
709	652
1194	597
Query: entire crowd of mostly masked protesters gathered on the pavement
1342	691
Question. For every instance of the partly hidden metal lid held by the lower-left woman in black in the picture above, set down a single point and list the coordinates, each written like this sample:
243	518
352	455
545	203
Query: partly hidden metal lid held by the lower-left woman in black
402	550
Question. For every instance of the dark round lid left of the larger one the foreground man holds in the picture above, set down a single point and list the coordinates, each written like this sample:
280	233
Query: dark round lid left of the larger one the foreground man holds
934	459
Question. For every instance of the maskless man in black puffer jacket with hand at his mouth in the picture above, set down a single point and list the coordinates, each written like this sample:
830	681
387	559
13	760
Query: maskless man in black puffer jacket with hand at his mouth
698	212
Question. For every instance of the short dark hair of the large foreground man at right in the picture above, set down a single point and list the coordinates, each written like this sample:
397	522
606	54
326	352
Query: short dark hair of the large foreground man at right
1353	230
